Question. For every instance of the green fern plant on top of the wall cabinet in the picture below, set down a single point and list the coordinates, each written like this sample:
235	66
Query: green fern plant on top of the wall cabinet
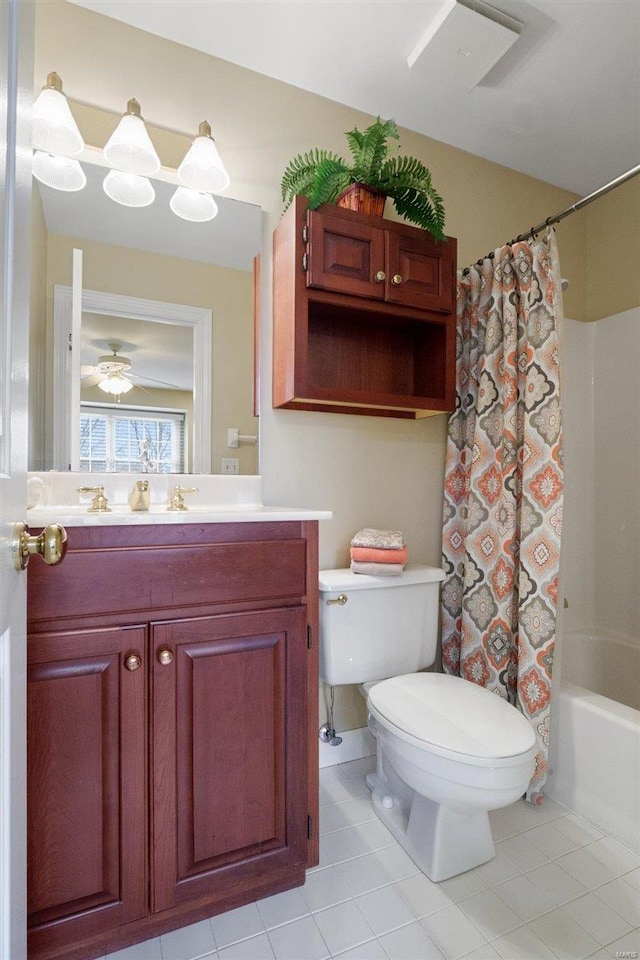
322	176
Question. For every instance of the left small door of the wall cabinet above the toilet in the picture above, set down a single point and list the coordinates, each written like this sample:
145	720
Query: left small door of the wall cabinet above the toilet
345	256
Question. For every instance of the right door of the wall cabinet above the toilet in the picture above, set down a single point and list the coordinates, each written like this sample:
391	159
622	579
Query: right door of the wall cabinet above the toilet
420	271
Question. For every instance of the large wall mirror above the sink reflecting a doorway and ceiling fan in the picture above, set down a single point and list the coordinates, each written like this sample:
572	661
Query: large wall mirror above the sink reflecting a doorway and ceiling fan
166	308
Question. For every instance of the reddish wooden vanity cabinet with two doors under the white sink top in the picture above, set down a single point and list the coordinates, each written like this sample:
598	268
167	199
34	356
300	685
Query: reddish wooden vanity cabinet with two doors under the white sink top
172	715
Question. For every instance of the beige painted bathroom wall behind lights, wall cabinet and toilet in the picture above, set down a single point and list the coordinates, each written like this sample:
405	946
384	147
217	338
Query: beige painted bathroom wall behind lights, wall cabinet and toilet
368	471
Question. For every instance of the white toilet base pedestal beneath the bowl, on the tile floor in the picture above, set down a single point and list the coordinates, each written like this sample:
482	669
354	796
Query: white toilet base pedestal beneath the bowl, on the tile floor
442	842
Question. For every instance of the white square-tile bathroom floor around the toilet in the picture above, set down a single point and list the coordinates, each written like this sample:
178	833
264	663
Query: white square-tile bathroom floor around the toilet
558	888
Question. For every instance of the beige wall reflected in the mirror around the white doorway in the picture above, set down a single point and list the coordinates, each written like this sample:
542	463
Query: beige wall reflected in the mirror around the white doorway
227	293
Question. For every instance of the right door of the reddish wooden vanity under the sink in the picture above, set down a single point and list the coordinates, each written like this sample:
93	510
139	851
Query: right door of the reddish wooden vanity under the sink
228	739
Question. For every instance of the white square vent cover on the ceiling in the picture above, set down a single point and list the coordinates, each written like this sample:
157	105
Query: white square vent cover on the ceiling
463	42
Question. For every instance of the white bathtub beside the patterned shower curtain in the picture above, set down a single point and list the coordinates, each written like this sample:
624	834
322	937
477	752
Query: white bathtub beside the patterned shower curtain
595	746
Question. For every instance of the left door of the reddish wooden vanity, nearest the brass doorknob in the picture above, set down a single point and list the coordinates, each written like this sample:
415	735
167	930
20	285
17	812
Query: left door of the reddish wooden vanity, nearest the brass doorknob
87	846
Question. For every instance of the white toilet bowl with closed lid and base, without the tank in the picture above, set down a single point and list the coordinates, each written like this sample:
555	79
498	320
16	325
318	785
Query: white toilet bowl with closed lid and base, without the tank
448	752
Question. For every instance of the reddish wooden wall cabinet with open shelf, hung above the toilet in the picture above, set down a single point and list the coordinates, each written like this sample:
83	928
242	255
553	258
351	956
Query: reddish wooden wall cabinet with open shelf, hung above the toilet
364	315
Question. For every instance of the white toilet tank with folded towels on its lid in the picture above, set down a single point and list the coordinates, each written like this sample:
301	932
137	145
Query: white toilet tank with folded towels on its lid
386	627
